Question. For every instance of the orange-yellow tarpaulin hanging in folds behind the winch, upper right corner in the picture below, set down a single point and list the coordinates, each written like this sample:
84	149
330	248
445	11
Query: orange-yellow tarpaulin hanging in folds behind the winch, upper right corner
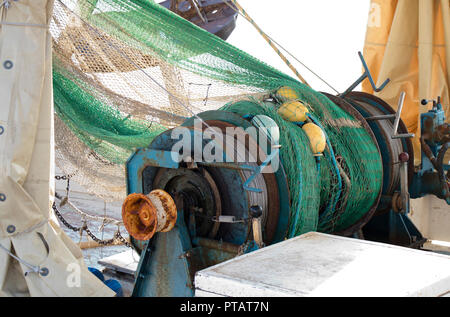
408	41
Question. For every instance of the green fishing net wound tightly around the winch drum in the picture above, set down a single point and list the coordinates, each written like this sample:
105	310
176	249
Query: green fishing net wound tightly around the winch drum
341	193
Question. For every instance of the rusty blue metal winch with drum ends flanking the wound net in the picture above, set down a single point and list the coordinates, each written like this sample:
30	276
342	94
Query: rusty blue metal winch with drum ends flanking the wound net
220	216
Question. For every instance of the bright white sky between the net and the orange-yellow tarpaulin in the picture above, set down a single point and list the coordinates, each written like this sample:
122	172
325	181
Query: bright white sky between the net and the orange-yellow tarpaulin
326	35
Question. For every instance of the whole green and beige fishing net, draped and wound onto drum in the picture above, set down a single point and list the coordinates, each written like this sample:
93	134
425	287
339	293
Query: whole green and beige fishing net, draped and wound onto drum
124	71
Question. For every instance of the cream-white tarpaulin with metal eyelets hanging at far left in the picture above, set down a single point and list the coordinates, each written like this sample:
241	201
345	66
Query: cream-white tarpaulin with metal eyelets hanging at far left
36	256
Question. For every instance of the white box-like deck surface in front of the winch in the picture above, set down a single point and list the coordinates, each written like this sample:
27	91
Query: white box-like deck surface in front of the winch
317	264
